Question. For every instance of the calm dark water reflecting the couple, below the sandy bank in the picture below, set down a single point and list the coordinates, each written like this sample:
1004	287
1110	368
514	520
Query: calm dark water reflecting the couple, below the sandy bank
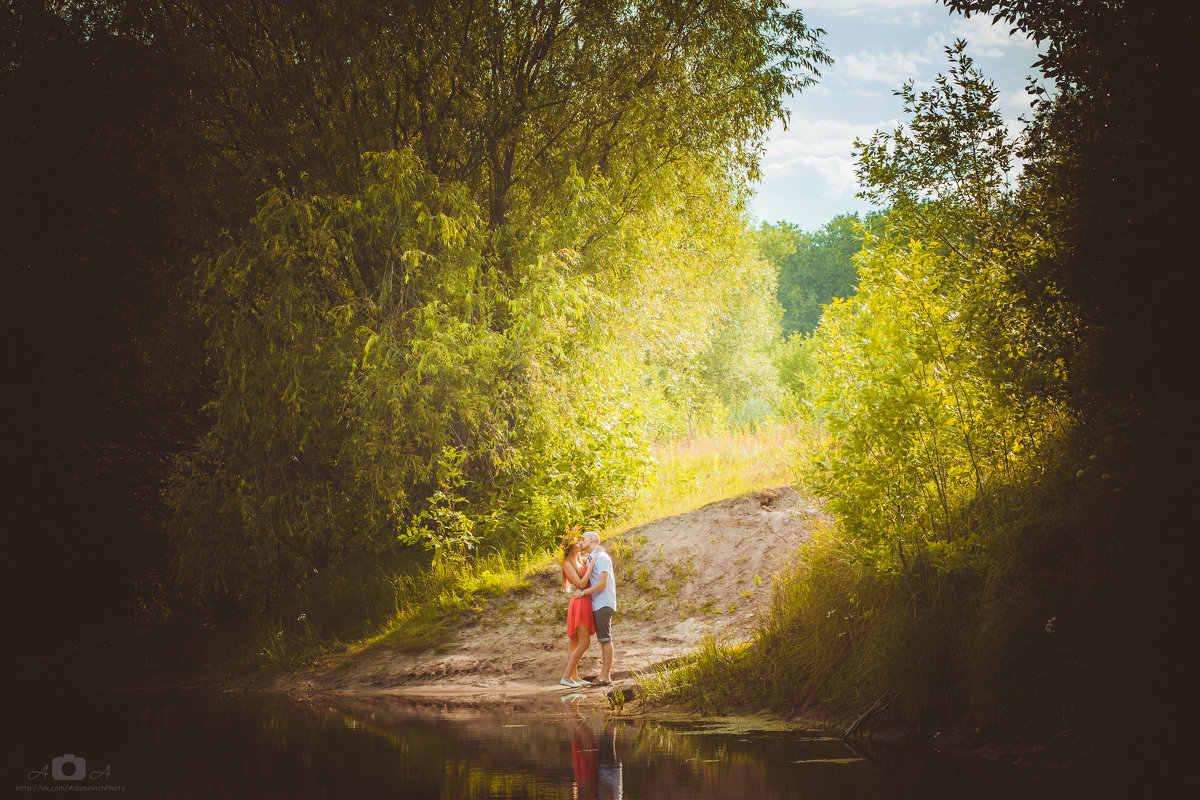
231	745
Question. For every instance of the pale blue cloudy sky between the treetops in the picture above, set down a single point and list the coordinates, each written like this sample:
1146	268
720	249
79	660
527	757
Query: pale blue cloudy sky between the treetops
808	170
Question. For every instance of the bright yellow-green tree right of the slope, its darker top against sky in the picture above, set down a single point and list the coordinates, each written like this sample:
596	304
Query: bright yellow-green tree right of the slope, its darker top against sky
925	376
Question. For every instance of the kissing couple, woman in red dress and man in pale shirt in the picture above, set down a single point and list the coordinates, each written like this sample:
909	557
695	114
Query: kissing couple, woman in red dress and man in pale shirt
587	576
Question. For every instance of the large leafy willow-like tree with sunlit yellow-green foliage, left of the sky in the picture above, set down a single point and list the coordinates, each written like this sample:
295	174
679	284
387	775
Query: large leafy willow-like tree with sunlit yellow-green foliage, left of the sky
500	250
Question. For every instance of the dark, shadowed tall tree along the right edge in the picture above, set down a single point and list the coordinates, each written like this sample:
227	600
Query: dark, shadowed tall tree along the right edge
1106	142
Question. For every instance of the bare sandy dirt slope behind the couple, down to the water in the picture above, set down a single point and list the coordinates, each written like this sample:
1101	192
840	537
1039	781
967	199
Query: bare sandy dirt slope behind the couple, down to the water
679	579
